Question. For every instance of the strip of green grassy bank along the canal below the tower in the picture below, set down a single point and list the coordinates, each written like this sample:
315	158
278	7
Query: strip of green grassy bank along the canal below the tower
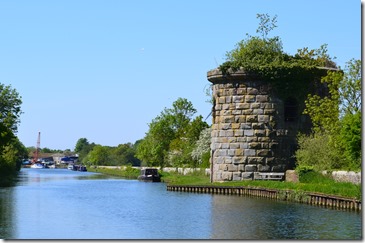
309	182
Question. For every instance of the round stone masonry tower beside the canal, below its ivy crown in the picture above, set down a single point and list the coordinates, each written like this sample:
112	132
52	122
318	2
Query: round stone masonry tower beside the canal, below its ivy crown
253	130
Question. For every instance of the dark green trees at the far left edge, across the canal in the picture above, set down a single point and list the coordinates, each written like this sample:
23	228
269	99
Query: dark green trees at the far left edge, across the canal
12	151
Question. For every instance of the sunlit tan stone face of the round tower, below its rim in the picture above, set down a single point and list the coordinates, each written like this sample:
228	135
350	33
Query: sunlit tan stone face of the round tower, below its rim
242	141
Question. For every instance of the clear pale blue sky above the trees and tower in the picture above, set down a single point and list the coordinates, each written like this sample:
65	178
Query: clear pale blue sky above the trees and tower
103	69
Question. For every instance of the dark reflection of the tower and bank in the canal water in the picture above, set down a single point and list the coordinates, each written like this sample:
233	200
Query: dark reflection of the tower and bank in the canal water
241	217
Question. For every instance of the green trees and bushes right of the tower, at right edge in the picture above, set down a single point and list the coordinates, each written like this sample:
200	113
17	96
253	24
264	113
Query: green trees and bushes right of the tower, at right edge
335	142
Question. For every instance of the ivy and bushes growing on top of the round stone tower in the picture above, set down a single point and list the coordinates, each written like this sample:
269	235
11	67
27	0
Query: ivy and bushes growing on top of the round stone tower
265	58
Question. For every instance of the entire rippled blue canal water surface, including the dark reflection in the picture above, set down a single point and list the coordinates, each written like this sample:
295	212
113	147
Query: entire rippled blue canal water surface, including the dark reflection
64	204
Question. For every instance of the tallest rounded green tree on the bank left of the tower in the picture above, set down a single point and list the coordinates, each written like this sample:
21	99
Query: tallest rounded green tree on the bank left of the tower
172	137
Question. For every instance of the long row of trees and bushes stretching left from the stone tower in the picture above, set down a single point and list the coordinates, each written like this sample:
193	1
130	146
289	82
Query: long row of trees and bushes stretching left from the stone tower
175	138
